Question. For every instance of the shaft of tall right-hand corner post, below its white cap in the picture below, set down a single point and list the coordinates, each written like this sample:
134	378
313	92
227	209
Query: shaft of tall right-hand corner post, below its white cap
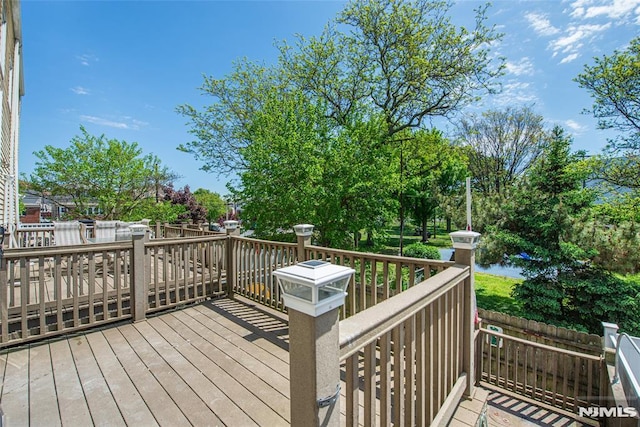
467	257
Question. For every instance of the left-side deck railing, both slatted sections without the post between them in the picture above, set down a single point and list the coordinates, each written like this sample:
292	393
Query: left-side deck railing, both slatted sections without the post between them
47	291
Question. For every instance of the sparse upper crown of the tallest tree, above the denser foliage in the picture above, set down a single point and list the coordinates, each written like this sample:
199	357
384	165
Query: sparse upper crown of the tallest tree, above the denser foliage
405	60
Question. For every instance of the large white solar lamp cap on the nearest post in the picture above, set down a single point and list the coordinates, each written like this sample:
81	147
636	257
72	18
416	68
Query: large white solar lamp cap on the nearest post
313	287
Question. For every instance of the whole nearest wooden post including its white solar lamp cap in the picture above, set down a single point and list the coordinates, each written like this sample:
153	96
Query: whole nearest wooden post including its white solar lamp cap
313	292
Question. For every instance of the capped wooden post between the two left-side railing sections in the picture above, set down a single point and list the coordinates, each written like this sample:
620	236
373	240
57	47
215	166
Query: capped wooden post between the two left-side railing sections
139	285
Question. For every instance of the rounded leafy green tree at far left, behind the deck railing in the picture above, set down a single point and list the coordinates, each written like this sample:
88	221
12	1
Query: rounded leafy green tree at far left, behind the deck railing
95	169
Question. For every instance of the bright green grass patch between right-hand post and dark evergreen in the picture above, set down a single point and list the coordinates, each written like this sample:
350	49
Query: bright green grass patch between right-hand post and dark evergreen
494	293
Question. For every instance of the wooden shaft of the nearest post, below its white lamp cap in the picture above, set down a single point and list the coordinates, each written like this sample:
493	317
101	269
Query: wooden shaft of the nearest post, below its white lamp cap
314	368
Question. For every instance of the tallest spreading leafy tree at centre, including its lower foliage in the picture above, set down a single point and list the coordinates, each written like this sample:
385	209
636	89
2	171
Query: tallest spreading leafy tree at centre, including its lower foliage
396	64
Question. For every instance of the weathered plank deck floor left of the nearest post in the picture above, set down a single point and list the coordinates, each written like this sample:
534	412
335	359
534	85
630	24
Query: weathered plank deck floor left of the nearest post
222	362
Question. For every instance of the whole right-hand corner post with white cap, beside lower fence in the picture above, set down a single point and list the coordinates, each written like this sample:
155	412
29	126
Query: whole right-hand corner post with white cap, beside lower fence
465	243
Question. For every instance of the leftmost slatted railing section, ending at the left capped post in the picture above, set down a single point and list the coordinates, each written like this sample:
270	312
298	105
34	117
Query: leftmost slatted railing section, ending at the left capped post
49	291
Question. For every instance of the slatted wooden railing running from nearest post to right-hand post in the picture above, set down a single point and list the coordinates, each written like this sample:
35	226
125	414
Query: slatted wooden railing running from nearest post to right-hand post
404	359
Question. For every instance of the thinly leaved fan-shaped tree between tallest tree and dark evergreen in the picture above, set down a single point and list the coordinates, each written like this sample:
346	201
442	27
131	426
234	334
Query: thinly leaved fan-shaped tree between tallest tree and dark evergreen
501	146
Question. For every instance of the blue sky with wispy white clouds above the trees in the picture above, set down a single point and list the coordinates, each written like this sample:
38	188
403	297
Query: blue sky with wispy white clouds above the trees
120	68
